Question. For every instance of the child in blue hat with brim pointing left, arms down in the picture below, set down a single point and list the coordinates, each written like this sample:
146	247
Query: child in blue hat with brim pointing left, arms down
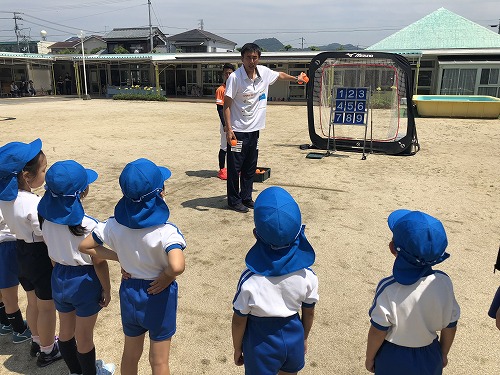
414	303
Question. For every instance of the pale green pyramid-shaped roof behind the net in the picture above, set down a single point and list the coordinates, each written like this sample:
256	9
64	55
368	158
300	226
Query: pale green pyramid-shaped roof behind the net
441	29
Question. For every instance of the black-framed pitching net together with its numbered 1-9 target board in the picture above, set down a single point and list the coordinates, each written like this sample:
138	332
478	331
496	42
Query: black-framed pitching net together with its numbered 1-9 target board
389	120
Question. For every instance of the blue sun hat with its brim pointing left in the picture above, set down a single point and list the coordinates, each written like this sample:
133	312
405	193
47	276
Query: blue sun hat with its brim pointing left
420	241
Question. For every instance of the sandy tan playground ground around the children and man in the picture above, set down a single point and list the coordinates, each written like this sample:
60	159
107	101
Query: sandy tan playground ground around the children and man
345	203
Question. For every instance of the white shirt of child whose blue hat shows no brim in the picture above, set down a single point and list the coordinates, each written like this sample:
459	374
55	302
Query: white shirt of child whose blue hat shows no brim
275	296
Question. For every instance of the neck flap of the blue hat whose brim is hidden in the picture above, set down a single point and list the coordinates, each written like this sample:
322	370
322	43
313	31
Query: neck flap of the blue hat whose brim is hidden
266	261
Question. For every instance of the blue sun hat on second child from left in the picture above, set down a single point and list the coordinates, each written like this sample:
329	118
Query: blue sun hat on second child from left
65	182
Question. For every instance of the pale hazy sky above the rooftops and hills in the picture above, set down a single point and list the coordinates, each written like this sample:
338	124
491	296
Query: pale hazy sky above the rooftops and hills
307	23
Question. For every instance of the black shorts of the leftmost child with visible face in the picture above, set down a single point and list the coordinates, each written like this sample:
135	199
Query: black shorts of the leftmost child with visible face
35	268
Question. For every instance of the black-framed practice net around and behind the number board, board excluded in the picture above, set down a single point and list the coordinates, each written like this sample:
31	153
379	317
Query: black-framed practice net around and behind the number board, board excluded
328	70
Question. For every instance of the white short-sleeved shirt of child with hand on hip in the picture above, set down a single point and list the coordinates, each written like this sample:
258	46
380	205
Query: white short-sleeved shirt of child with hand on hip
141	252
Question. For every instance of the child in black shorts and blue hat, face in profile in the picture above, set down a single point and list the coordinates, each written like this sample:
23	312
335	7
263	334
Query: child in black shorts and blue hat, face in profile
22	168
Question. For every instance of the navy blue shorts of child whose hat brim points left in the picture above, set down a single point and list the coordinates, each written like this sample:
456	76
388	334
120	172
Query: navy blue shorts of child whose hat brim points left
392	359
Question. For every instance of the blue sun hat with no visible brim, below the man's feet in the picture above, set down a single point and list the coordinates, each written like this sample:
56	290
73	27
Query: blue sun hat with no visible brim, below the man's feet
281	246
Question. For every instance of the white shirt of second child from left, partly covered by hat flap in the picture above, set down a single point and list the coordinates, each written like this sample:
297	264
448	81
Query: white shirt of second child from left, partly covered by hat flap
63	245
